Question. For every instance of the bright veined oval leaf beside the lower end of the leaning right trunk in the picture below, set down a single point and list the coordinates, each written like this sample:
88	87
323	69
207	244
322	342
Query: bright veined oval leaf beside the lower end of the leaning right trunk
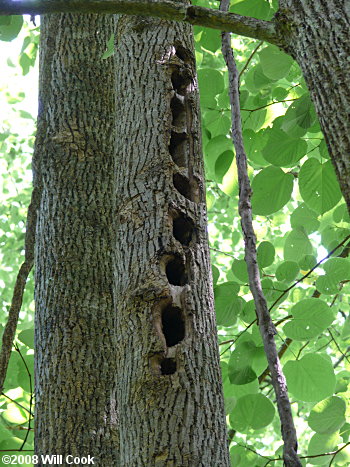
318	185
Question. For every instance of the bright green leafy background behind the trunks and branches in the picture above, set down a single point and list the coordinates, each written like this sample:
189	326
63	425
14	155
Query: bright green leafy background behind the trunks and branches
299	217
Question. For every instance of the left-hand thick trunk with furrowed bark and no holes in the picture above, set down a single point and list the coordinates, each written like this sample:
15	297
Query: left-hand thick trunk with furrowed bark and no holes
75	336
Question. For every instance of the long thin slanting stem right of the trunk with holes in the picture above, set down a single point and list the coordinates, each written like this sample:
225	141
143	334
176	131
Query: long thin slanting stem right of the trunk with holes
267	329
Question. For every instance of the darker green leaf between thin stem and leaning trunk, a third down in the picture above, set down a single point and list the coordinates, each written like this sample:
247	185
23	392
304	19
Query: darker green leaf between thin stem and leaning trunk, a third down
283	150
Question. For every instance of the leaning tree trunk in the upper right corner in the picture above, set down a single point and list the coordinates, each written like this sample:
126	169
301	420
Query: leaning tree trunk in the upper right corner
316	34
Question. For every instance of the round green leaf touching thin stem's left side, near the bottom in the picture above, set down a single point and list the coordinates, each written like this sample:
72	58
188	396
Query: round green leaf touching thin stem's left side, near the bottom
252	411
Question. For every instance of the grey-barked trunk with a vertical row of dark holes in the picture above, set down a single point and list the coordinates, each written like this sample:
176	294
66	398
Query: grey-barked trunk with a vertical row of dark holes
170	402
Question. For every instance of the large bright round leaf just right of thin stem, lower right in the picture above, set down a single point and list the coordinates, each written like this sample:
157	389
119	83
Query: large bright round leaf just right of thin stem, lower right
311	378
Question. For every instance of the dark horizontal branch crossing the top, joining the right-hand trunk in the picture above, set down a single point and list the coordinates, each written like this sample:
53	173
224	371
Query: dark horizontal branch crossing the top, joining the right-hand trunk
169	10
